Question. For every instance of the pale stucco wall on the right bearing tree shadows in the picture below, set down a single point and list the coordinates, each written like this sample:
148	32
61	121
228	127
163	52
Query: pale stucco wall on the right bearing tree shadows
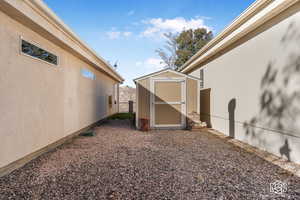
255	85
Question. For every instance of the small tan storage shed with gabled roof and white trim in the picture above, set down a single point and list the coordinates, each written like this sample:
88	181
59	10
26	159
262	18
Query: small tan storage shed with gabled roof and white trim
166	99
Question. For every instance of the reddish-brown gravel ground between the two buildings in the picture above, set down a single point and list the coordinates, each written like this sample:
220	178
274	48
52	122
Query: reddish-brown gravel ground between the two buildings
121	163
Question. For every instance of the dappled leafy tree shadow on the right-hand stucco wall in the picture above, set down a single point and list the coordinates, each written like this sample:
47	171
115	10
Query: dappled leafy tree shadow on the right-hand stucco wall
280	95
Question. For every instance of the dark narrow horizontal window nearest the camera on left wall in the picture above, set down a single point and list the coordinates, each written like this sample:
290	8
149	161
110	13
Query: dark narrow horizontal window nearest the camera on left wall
36	52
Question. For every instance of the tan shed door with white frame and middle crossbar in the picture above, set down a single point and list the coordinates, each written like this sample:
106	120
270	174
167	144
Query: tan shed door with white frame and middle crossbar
168	103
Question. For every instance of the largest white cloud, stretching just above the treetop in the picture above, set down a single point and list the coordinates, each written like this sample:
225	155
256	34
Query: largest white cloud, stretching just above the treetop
158	26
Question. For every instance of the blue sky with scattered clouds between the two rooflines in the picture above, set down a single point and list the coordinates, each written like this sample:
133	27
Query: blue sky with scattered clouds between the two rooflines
129	31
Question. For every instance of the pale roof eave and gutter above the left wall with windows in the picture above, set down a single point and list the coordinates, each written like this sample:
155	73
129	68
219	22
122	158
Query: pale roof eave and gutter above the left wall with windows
41	11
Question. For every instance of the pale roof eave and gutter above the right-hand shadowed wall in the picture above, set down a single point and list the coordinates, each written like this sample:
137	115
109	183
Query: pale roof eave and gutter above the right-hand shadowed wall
257	14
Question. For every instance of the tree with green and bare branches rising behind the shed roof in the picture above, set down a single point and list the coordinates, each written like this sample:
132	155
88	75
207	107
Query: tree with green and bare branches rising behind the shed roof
180	48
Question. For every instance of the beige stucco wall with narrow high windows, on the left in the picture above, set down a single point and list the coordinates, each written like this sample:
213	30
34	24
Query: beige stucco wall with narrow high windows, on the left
41	103
